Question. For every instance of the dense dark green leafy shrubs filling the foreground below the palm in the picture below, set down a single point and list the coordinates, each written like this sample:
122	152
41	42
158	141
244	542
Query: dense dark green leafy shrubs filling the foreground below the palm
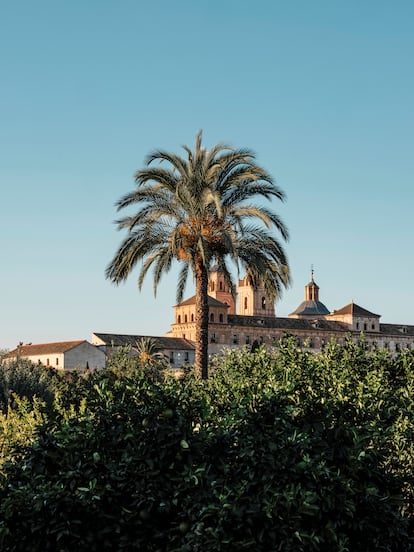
283	450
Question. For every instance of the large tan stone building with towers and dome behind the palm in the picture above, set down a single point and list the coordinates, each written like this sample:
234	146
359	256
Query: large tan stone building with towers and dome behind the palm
312	324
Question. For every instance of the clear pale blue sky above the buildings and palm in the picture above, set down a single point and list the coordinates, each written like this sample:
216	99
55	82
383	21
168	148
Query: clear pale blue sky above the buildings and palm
321	91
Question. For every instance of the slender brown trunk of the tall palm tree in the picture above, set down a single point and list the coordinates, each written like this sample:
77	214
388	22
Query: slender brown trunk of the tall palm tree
201	319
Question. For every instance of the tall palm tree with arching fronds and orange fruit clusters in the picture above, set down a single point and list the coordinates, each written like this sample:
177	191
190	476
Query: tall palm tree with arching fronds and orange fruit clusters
200	210
